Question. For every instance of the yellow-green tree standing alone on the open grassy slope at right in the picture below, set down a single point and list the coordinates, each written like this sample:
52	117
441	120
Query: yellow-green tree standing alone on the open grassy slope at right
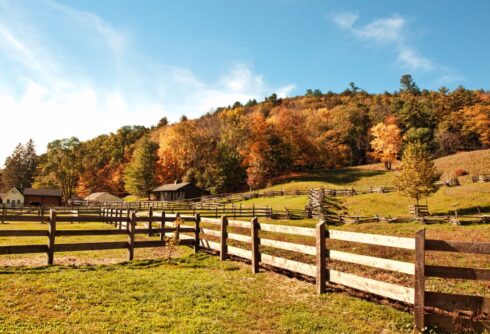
418	174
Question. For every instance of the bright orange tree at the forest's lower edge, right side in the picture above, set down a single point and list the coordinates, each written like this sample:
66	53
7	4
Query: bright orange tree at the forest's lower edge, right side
386	143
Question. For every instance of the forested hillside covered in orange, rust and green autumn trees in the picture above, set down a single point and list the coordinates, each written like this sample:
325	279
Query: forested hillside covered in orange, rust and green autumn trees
251	144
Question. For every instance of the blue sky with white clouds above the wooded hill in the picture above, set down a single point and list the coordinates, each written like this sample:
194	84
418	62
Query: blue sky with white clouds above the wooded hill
84	68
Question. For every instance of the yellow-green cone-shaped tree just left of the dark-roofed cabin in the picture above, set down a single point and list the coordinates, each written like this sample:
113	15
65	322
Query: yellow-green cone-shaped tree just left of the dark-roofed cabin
140	173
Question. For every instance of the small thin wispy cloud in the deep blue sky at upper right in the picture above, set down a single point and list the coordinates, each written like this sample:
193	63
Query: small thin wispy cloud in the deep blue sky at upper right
390	31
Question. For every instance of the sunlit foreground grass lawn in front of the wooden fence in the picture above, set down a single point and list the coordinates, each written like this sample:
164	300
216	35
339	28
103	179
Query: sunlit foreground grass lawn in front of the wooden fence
190	294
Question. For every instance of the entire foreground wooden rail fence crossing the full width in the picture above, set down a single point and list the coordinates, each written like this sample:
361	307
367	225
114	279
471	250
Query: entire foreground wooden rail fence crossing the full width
253	241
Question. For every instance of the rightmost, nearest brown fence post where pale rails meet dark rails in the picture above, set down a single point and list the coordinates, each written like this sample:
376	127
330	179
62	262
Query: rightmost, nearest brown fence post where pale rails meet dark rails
419	298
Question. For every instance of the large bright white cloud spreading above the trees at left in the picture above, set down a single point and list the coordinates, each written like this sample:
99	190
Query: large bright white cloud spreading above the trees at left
91	79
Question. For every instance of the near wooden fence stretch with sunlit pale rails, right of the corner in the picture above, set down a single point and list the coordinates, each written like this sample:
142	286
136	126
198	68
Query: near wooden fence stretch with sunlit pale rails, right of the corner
417	295
